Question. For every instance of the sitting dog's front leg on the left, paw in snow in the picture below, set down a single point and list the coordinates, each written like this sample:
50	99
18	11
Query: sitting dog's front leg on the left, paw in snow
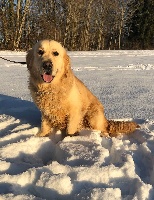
46	129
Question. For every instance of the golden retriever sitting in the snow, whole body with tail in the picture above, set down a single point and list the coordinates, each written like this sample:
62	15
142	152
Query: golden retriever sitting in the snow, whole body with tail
64	101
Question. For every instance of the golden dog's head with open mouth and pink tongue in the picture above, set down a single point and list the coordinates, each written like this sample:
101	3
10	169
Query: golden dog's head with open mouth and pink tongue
47	60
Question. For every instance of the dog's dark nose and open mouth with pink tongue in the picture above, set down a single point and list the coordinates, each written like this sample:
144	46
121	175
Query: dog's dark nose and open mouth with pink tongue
47	71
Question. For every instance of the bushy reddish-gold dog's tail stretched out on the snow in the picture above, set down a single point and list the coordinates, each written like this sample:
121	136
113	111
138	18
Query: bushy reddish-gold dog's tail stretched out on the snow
115	128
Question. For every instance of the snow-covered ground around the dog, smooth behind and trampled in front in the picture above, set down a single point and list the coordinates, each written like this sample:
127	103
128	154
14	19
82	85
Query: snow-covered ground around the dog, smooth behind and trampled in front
85	166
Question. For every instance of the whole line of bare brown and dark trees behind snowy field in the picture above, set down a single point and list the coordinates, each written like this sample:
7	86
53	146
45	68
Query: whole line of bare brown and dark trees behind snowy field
77	24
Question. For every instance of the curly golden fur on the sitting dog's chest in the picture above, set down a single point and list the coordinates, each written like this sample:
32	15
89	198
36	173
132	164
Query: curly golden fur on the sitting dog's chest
53	104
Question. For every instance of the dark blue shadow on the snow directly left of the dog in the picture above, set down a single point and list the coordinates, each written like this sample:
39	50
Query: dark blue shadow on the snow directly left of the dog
17	109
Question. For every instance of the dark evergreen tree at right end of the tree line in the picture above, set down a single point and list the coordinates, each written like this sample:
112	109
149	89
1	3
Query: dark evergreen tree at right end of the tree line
141	24
